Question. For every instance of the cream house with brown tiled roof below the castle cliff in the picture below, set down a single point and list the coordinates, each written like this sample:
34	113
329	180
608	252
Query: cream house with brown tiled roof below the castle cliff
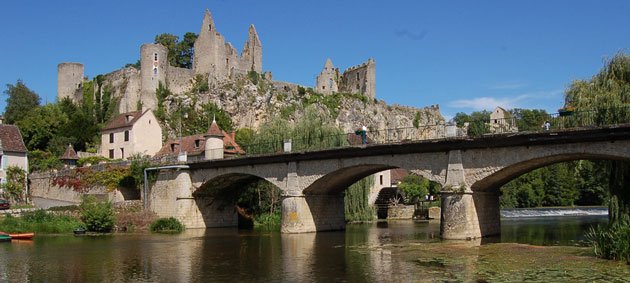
131	133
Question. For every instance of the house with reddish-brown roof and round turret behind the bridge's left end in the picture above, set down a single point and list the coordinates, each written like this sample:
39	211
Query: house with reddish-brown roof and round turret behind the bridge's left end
214	144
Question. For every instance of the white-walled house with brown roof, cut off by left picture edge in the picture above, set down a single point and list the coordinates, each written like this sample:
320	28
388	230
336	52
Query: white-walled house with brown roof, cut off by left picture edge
12	150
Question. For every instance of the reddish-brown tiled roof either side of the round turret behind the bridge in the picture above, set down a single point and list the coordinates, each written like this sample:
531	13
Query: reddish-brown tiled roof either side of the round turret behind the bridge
195	145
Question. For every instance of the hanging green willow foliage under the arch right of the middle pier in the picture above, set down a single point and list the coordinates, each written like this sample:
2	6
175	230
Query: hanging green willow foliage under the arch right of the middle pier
356	205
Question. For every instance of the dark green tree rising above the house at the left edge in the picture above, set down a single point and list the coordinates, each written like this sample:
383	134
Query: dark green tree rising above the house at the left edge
20	102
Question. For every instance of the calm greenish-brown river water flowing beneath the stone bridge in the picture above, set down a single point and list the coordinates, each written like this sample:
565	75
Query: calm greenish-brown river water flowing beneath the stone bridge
532	247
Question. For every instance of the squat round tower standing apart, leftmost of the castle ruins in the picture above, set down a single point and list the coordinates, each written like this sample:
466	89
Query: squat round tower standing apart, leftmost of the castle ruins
70	81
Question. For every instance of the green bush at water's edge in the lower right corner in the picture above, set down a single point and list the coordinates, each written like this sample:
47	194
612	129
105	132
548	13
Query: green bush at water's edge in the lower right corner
611	242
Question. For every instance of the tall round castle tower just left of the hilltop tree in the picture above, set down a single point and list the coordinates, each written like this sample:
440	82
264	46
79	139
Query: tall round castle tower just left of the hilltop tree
153	69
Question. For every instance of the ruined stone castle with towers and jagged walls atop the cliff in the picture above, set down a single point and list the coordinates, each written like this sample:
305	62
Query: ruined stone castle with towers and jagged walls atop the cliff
214	59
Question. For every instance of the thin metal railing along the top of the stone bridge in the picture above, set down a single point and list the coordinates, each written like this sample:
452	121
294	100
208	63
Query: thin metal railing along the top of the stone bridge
553	122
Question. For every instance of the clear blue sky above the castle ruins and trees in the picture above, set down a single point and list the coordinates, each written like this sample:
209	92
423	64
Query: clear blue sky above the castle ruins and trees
462	55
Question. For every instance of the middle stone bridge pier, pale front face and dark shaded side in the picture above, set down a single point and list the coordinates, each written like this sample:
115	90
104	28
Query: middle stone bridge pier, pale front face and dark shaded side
312	213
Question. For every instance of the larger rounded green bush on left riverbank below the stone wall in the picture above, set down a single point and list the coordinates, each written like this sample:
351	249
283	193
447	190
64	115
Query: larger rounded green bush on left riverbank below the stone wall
97	216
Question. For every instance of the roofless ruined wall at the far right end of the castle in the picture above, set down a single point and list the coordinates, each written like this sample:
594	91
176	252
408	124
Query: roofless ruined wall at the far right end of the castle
360	79
